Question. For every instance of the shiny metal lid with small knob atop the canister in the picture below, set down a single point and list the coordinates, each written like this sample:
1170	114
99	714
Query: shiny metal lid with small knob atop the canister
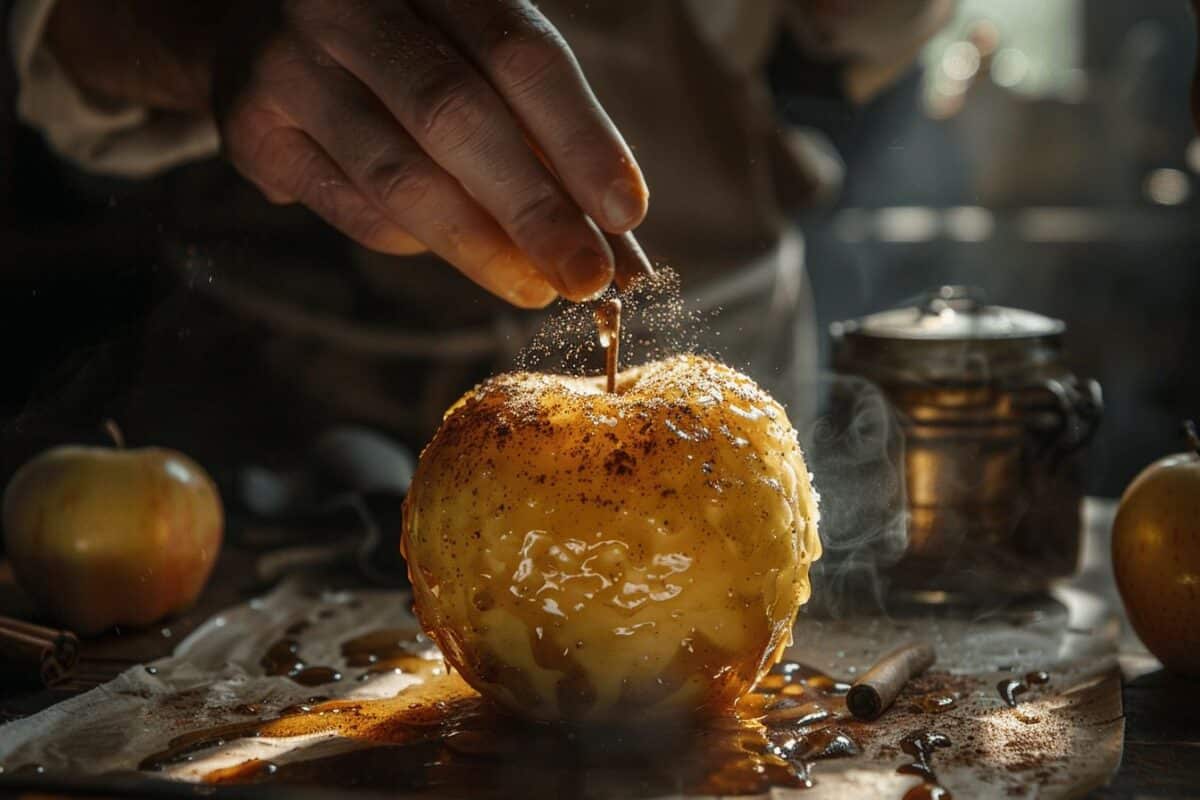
951	336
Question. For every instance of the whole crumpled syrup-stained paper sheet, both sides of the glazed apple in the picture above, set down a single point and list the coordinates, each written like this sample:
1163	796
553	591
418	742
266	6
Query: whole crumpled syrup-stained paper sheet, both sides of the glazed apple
1064	741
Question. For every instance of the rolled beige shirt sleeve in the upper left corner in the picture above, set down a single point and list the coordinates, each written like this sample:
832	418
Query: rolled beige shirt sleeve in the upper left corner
119	141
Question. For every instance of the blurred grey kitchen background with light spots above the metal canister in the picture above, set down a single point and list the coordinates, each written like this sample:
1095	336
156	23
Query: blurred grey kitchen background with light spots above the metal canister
1043	152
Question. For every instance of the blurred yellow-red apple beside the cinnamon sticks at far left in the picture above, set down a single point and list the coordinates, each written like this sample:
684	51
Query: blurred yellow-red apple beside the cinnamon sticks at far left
101	538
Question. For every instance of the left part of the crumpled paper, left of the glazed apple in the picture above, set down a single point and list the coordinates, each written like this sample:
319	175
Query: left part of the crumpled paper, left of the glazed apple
214	671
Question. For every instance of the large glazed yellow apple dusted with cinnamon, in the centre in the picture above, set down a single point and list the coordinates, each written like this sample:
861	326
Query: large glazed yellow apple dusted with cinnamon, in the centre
589	556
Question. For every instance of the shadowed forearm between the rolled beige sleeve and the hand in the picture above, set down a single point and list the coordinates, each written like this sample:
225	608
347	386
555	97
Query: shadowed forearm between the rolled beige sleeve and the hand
139	52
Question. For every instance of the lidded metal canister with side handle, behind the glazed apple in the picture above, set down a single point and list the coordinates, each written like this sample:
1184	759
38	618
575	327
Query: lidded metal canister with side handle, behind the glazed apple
994	426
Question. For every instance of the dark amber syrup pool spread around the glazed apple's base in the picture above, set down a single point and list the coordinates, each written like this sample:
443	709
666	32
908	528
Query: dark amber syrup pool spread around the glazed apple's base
442	737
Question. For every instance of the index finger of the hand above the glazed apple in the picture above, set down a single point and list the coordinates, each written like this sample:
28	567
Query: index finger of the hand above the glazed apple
530	64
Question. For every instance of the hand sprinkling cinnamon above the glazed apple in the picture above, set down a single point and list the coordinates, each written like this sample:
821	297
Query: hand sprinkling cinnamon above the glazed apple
423	124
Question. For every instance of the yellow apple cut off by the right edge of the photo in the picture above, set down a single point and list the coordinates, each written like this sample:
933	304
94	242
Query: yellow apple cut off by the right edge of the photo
1156	557
